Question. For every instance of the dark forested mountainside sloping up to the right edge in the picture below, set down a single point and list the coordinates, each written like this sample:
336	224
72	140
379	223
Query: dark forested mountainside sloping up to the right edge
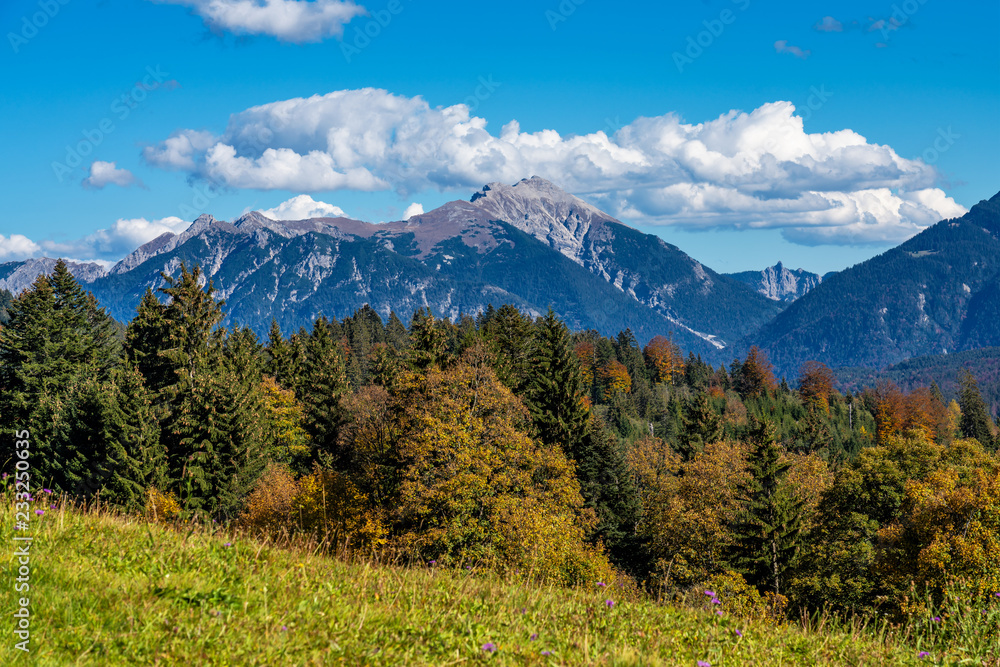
939	292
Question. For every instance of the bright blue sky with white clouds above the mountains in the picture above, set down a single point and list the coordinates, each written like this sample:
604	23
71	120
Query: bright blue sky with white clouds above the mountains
894	123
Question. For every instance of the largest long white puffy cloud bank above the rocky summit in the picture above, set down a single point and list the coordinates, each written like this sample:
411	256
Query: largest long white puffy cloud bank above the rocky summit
740	170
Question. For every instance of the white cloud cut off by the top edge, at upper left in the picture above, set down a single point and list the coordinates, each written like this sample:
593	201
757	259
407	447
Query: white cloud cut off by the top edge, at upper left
296	21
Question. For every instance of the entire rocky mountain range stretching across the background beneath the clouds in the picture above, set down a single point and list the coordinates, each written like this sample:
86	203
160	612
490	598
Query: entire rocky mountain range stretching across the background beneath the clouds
535	246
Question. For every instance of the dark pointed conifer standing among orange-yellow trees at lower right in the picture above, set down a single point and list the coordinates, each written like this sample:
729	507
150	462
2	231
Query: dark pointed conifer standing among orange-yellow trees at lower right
767	532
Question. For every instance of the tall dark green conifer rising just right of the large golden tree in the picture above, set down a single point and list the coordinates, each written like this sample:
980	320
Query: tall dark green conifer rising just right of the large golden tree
554	392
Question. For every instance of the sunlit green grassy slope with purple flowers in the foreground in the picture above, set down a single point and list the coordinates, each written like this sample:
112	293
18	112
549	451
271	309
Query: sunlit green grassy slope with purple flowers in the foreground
110	590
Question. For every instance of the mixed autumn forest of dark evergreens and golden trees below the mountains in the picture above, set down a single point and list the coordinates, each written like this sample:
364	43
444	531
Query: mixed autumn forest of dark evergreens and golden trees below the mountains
511	443
